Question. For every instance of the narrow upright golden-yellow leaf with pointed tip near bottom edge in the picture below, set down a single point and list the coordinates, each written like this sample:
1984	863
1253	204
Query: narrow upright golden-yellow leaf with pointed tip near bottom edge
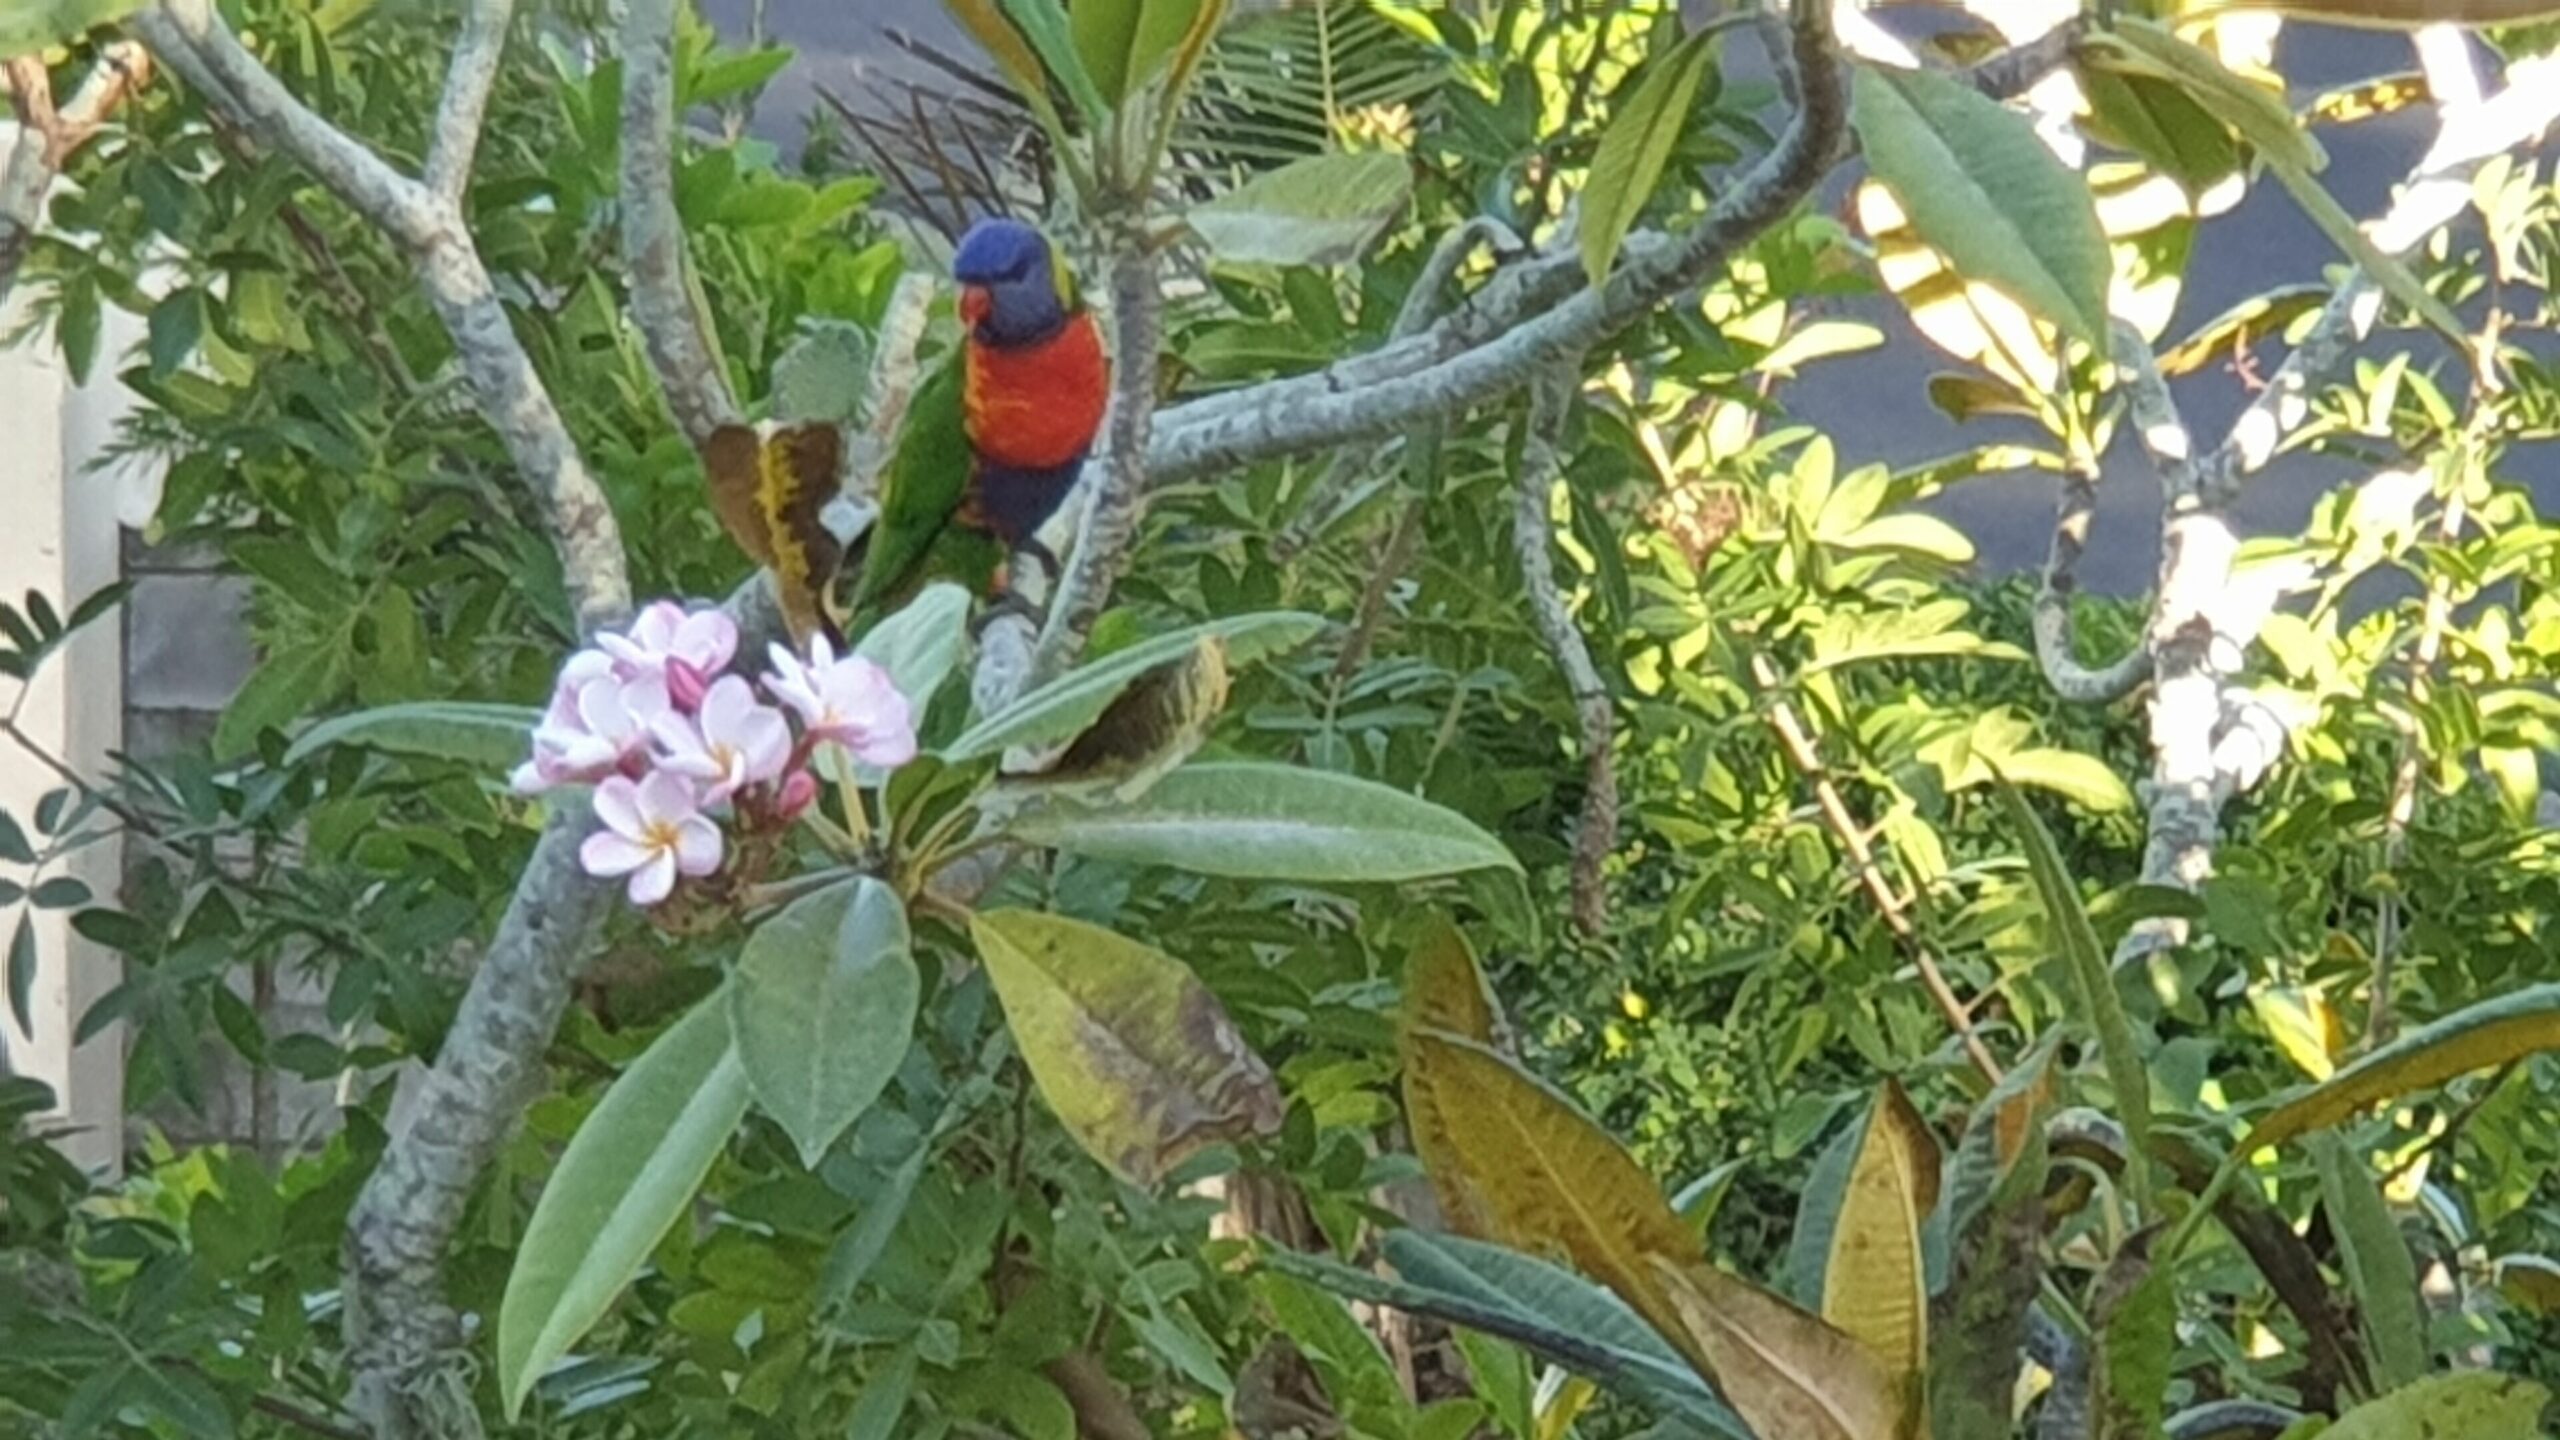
1875	1282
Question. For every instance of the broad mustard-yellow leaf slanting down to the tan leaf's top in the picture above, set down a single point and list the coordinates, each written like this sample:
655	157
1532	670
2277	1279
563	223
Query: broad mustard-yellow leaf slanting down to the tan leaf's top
1532	1172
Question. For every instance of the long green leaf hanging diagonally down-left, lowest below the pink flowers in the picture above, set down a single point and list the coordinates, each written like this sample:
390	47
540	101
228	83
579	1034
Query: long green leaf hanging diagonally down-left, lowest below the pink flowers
626	1177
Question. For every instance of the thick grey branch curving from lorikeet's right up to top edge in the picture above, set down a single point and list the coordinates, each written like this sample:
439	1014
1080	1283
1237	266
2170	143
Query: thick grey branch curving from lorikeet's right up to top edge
1527	322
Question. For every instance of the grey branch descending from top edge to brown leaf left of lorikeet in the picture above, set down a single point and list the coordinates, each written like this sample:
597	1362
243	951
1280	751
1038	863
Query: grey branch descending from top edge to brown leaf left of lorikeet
698	393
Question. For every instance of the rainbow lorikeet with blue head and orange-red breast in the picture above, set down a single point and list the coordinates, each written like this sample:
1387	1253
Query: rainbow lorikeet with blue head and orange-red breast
997	437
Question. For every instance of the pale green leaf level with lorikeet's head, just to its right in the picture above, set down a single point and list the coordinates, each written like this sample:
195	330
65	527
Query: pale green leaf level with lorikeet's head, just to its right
1312	211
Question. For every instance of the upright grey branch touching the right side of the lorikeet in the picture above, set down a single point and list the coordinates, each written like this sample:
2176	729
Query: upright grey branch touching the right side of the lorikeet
1120	498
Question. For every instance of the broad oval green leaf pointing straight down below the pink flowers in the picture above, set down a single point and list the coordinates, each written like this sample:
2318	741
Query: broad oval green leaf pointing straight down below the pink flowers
823	1008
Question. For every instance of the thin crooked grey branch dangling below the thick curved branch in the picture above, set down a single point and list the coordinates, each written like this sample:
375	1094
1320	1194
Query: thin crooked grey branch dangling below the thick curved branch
1532	539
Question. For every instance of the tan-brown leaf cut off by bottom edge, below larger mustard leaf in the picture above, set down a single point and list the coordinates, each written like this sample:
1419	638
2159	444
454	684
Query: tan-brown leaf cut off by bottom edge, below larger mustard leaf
1786	1372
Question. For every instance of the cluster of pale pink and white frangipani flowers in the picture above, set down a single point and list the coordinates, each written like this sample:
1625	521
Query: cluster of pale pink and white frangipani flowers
677	747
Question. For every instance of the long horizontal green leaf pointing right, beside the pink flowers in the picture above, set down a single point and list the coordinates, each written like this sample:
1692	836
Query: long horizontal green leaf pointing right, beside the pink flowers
1271	821
